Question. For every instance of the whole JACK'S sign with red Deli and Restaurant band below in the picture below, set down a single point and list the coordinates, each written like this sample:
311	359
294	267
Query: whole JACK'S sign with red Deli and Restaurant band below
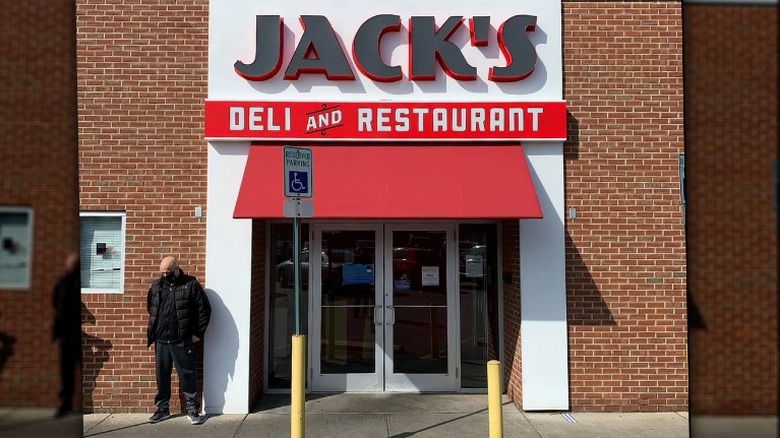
355	71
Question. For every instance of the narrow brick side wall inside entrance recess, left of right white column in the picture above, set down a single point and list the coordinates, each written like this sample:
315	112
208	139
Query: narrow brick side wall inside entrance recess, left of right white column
510	263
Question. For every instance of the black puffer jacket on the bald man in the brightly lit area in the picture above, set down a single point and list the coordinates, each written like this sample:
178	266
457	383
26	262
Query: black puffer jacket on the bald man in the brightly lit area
192	307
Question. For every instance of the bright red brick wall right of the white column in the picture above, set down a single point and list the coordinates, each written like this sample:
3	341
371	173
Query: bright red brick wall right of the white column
625	251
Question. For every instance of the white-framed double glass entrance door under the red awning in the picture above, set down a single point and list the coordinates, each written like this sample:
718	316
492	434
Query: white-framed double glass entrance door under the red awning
383	317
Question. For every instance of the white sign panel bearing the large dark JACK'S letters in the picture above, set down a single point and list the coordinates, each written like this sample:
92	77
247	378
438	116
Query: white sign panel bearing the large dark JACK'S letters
365	56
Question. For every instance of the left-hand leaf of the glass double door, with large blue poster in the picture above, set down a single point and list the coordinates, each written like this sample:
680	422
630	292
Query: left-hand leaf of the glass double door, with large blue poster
347	309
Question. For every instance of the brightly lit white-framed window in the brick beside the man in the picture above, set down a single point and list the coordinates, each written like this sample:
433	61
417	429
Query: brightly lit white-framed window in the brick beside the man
102	251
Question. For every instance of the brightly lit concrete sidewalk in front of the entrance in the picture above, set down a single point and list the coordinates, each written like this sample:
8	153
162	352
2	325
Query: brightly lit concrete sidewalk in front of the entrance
396	415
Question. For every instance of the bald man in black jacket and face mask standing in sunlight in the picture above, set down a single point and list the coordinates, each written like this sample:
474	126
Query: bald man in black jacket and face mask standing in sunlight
179	313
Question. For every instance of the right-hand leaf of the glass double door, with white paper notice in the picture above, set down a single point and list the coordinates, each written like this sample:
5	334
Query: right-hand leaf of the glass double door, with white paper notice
419	345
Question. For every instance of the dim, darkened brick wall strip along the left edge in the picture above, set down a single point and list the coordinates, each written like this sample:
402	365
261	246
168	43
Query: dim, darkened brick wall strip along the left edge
38	161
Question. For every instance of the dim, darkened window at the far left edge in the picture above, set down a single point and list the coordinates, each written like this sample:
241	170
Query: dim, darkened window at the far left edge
15	247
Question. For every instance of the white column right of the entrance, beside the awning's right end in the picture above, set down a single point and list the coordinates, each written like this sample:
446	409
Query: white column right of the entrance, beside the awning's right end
543	335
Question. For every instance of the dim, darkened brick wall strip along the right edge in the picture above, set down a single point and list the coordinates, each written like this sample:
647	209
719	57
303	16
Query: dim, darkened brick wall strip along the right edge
731	136
